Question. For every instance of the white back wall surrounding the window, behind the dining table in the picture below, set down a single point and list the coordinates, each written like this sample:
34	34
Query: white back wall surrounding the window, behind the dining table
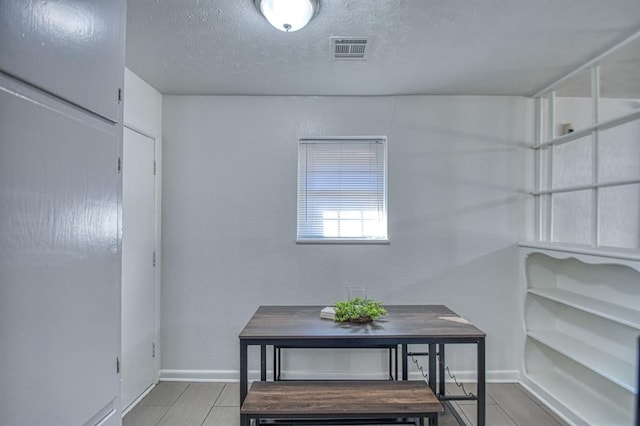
458	175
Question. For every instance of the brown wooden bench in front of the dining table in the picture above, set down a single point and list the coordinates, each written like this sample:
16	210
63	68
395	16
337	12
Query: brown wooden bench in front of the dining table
387	401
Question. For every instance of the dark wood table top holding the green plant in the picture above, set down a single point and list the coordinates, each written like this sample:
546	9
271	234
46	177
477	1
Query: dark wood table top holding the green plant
402	322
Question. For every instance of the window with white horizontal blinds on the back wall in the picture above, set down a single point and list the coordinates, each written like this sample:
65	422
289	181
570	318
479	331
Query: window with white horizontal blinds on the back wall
342	192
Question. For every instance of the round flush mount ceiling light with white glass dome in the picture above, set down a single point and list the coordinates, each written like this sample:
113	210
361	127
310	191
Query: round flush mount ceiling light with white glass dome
288	15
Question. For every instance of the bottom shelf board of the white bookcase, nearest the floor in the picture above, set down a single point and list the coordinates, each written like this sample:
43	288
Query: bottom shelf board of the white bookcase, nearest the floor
585	405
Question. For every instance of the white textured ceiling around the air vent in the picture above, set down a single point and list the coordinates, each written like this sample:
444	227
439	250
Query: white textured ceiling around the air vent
470	47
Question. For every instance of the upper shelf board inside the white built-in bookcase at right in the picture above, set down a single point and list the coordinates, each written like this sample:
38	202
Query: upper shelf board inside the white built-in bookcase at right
620	314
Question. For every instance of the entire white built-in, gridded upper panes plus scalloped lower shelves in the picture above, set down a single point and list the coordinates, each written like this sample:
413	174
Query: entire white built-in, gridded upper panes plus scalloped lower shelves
580	280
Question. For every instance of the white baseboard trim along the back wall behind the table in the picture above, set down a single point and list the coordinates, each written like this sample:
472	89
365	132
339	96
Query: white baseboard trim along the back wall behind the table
230	376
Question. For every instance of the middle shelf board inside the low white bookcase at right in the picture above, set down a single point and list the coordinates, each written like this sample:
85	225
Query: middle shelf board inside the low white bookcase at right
602	363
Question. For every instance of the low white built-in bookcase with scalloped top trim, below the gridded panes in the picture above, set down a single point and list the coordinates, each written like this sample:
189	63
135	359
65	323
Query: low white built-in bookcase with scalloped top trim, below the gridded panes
581	322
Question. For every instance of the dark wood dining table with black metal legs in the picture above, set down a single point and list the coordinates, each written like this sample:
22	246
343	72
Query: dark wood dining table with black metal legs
429	326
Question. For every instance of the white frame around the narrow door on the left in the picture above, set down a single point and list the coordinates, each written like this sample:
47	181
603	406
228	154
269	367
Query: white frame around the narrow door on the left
157	147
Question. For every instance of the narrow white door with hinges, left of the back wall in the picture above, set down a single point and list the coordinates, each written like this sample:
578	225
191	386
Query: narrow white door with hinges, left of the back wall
138	269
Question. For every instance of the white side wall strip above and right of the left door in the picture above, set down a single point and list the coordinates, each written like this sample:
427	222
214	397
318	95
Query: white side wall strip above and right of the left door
143	113
